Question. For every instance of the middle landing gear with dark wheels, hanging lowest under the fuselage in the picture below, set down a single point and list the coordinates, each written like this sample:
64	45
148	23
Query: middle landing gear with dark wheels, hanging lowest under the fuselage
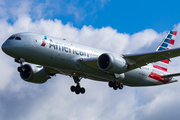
77	89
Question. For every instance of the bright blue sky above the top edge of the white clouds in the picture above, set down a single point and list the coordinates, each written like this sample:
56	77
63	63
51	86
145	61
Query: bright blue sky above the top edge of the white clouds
127	16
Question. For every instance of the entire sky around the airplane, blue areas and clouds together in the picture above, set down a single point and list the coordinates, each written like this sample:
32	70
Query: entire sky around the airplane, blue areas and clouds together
120	27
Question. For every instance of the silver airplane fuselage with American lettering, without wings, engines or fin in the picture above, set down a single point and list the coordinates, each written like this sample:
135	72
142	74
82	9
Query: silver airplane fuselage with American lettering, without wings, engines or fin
64	57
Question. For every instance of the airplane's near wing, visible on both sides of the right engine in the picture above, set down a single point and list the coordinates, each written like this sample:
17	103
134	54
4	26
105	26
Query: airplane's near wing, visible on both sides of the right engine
138	60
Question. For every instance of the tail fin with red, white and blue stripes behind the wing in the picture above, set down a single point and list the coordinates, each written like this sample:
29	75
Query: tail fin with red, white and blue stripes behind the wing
167	43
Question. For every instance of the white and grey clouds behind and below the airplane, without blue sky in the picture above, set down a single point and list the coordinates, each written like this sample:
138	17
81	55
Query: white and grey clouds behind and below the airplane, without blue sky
53	100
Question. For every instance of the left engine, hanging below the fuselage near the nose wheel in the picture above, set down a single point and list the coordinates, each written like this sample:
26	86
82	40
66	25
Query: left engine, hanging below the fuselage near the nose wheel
34	74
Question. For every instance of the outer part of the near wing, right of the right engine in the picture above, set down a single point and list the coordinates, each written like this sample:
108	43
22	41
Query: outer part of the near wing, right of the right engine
139	60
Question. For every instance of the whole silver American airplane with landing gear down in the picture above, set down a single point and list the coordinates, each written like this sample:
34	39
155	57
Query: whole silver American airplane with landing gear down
50	56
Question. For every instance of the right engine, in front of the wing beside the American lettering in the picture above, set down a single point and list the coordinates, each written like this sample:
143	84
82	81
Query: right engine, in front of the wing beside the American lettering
112	63
